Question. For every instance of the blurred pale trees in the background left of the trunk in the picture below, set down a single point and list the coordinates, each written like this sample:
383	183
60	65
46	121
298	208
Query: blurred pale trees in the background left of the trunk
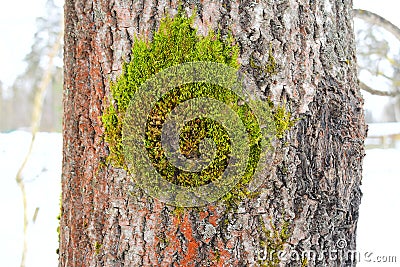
19	102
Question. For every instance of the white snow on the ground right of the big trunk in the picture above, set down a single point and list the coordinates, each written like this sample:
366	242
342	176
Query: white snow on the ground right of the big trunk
378	228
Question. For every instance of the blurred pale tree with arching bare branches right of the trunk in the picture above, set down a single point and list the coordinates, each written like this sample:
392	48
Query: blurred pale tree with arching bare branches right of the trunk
377	52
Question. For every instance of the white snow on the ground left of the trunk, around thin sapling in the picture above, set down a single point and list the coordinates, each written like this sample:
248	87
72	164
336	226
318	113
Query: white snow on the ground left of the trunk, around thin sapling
42	175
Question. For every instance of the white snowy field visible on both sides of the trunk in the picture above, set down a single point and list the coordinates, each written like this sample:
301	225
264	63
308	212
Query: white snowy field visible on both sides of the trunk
378	230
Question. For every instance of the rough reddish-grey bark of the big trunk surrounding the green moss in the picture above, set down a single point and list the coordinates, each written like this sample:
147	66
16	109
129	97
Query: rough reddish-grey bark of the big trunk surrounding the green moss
315	183
